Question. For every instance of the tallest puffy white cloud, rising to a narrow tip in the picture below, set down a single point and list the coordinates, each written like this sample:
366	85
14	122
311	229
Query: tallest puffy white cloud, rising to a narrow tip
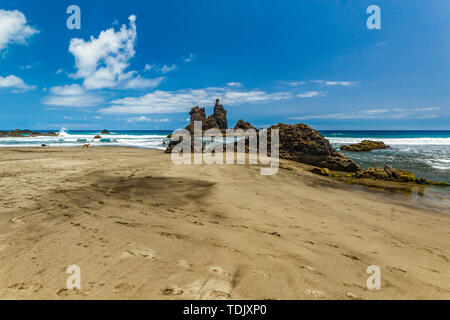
103	62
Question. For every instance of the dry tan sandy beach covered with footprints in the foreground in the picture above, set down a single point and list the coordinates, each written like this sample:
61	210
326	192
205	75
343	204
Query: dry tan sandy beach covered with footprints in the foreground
140	227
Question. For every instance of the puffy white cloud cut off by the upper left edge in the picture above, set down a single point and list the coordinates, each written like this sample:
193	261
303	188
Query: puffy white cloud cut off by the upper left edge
14	28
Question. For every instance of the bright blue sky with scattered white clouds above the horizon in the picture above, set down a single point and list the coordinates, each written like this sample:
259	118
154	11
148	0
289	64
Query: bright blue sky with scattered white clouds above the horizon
144	64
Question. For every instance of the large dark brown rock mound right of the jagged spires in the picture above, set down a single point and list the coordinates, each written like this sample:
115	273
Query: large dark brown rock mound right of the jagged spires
301	143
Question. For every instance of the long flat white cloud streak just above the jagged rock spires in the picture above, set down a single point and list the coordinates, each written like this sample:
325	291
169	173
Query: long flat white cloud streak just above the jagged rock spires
182	100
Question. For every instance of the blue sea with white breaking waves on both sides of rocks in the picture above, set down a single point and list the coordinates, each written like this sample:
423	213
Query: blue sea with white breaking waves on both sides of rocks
425	153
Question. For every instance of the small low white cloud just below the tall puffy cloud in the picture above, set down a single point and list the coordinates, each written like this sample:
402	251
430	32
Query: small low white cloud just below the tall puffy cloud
72	96
